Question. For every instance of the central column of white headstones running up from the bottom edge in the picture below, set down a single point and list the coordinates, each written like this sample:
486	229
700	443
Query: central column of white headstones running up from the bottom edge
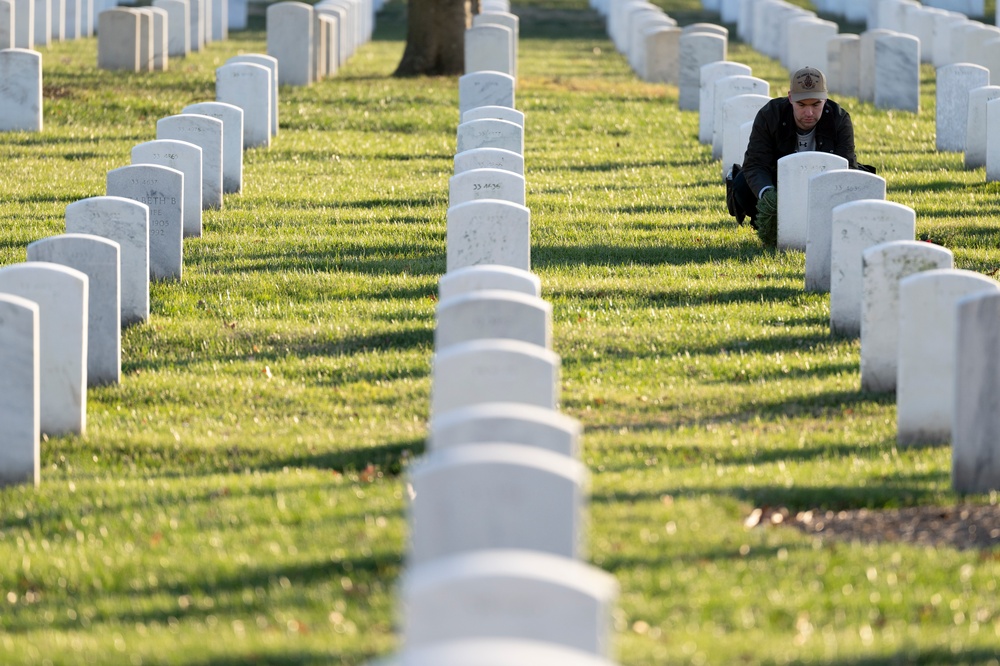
495	571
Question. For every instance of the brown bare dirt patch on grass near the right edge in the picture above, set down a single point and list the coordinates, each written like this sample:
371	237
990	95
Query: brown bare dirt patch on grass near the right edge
964	526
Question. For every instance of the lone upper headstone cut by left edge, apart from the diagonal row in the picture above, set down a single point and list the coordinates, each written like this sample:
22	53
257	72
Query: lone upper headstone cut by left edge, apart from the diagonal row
20	90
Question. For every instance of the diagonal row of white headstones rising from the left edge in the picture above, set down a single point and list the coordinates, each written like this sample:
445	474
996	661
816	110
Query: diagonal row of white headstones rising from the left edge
62	312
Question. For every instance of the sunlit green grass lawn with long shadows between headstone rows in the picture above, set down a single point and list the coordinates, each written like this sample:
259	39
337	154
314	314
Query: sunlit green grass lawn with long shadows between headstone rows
239	498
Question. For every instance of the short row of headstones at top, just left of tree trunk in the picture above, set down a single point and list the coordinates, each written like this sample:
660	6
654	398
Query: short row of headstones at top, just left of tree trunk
310	42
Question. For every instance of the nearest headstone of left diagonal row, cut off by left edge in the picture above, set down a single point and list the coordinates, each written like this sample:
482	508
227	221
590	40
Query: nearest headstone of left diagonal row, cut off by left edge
20	400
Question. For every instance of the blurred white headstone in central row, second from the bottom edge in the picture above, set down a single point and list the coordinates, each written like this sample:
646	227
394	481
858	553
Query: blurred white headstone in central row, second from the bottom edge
509	594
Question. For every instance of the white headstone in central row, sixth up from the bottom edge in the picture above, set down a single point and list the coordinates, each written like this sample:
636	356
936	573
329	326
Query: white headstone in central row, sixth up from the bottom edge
493	314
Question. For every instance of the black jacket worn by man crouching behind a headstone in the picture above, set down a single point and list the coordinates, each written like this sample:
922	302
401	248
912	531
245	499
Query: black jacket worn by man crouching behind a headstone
773	137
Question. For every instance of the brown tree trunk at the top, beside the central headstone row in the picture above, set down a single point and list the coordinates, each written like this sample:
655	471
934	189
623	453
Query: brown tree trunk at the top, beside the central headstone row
435	38
